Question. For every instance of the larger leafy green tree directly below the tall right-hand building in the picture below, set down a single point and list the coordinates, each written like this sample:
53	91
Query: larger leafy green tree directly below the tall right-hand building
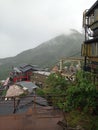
83	95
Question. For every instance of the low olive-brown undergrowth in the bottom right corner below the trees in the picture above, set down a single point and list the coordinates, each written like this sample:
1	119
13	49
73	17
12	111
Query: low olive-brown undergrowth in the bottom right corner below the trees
86	121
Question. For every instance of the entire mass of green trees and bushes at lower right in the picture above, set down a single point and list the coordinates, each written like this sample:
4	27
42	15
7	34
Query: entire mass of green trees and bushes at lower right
78	99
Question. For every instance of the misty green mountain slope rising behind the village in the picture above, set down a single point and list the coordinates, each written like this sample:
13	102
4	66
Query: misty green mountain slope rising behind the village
46	54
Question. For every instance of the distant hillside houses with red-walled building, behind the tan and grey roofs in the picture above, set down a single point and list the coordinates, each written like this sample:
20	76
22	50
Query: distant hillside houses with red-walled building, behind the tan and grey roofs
38	76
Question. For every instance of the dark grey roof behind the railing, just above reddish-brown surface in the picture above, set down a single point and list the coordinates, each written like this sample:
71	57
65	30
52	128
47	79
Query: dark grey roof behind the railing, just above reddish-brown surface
7	107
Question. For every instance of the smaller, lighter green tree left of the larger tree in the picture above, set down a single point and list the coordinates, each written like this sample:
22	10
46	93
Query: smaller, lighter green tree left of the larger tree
56	89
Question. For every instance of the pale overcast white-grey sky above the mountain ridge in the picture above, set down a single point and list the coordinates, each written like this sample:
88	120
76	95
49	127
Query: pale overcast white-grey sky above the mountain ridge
24	24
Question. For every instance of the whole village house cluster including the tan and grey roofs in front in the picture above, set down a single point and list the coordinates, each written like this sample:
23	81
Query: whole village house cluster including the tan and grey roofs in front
30	77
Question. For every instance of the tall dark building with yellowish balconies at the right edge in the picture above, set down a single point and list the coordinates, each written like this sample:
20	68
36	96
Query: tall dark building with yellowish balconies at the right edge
90	45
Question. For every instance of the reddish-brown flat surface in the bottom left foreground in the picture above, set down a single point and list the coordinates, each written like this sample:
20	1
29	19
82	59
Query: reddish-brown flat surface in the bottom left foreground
38	118
